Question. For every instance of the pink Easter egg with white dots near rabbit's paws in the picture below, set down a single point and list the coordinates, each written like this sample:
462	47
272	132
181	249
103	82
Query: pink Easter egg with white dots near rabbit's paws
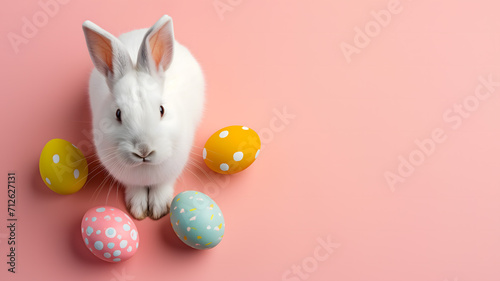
109	234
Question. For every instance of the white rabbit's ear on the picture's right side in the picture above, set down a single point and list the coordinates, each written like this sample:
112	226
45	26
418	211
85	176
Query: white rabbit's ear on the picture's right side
157	48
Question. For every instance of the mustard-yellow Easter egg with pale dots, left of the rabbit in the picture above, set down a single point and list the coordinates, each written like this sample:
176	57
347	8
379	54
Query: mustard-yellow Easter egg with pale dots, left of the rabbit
63	167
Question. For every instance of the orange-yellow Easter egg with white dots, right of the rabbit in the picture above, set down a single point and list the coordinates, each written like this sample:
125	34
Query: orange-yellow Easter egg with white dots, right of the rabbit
231	149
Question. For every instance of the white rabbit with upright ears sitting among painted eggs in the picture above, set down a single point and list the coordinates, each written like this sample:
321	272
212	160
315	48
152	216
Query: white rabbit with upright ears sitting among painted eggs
146	97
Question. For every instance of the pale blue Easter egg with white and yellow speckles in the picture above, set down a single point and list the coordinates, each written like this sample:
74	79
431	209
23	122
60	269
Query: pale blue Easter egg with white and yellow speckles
197	220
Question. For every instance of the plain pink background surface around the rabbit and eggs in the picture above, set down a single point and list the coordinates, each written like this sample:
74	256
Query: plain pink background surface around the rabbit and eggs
320	174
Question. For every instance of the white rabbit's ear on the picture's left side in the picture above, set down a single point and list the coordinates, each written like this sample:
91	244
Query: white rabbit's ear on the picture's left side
108	54
